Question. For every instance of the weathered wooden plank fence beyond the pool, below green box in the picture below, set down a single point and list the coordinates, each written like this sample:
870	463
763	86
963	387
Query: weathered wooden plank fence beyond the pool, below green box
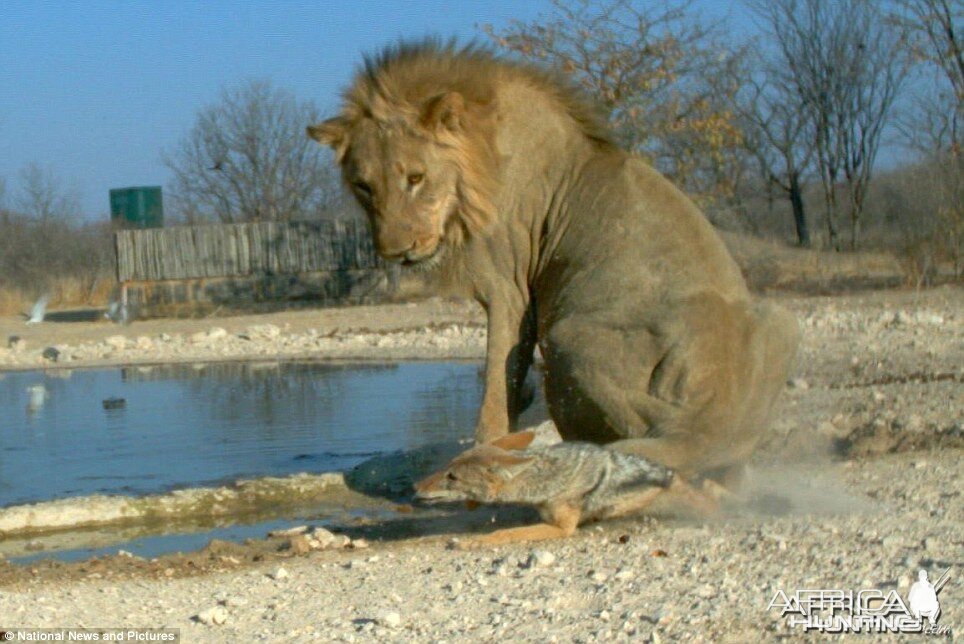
235	264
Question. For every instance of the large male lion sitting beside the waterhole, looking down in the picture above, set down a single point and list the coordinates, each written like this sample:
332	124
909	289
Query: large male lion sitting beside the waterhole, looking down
504	181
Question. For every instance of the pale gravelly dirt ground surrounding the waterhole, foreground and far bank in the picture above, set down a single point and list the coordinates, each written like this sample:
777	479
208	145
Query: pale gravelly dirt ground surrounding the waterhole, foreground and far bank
858	486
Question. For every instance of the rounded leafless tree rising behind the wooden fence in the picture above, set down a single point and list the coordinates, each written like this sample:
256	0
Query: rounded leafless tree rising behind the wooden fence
247	159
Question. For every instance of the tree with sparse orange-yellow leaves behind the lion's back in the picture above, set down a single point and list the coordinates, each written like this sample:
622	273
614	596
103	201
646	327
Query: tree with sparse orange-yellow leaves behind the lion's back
666	79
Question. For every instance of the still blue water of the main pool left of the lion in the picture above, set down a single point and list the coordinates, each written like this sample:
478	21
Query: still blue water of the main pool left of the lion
184	425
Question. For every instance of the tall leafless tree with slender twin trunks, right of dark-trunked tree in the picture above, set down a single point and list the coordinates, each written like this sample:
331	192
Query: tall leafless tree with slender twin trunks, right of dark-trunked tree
844	61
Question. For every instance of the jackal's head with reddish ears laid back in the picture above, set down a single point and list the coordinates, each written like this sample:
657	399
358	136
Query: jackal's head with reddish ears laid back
480	473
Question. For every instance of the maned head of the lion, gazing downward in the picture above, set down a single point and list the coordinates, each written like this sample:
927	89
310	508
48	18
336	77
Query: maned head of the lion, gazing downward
417	154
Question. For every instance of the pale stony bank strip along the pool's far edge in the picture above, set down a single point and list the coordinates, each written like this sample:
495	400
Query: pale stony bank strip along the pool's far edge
431	329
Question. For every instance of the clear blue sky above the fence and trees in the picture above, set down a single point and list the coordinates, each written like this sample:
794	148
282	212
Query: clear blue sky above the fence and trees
95	90
